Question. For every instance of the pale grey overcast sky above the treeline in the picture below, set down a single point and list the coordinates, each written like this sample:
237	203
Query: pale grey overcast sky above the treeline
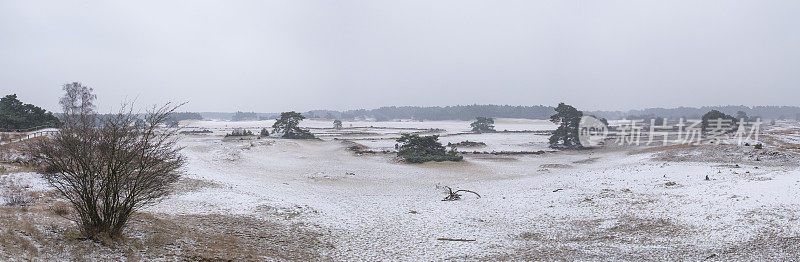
270	56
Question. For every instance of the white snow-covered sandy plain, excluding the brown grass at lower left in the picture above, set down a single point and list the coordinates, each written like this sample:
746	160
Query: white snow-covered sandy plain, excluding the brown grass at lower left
594	204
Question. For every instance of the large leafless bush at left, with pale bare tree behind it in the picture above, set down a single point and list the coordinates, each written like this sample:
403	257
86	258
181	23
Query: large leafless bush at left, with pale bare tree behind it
108	167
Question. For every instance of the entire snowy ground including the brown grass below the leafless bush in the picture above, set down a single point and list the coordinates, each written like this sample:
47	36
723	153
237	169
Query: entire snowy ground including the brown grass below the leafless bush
346	197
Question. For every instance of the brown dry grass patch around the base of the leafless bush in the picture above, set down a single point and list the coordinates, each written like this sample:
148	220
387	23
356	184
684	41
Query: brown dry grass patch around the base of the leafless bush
39	232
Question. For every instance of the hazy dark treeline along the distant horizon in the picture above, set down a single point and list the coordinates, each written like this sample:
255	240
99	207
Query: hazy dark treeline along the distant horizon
469	112
